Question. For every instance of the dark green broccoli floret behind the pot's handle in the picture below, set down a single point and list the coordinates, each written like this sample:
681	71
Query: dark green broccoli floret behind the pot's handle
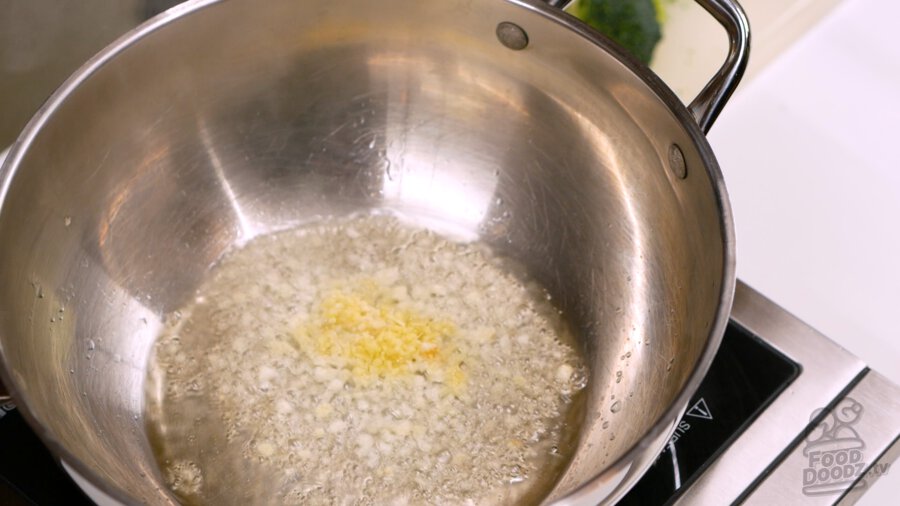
634	24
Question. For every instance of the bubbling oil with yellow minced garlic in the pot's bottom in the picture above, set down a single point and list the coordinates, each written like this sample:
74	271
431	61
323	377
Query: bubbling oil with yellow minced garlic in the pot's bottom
364	361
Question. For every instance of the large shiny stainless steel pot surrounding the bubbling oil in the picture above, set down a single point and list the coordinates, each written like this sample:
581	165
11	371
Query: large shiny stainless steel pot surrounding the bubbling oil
503	120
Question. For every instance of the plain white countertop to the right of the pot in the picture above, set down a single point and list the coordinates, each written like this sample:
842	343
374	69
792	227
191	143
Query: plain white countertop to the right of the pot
811	157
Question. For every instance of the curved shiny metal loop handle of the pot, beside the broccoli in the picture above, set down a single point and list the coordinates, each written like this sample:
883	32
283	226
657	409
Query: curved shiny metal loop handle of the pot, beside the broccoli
712	98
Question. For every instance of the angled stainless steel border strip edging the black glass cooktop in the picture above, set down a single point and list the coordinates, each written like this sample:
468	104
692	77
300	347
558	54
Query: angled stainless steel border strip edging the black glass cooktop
827	370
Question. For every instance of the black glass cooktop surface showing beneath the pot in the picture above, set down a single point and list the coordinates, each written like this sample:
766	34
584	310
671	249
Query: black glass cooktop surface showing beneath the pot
746	375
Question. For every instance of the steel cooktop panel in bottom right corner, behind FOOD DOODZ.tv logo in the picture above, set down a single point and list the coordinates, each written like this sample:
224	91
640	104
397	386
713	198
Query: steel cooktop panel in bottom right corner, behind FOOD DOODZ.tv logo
853	446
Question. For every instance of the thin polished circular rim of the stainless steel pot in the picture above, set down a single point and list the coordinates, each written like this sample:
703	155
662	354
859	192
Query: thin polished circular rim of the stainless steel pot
587	492
